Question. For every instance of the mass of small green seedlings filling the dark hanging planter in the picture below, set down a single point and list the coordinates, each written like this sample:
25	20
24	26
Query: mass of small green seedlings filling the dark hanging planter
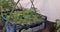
27	16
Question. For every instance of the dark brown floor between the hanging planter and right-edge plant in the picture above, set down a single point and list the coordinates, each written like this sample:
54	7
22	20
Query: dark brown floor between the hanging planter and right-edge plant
49	27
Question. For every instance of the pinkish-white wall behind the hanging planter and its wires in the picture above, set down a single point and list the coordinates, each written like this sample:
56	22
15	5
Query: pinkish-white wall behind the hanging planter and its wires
50	8
